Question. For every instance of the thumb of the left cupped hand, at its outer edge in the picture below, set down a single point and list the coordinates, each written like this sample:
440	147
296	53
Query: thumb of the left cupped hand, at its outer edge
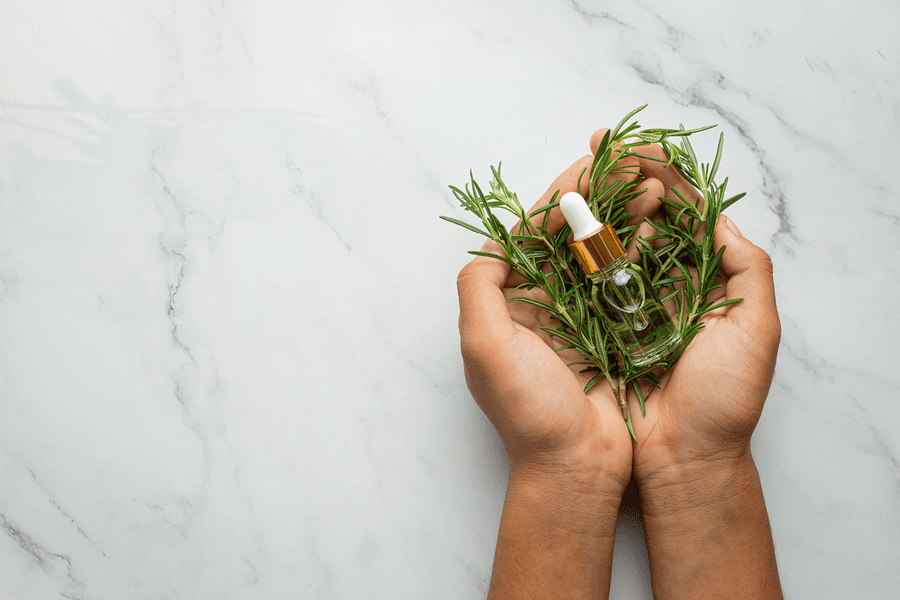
484	319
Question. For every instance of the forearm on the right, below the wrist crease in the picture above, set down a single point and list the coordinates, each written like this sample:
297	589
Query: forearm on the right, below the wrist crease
708	533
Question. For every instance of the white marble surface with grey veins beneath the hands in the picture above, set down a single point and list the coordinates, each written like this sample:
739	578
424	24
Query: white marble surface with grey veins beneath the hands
229	362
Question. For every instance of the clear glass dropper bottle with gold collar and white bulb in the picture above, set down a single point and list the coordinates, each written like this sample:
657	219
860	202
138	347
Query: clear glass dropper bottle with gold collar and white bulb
618	287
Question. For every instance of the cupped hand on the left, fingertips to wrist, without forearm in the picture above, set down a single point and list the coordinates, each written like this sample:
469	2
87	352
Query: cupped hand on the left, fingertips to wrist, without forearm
524	386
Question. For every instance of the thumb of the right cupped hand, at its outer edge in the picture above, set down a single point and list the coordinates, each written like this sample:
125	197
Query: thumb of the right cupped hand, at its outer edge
749	272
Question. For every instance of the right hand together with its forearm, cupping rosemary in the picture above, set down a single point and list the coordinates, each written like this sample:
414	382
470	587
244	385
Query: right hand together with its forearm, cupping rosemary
707	530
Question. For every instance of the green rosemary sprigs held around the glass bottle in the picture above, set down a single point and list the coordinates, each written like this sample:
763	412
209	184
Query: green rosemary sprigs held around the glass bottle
683	243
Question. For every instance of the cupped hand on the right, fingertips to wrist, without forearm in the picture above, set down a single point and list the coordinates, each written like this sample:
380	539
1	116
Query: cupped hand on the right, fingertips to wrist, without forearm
710	402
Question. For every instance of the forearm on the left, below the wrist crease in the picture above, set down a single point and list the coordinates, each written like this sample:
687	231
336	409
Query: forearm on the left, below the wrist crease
556	536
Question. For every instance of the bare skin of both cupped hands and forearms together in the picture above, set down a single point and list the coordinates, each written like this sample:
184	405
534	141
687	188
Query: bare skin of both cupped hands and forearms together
571	455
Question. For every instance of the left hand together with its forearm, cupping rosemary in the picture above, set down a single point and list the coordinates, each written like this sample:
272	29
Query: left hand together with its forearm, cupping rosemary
569	453
